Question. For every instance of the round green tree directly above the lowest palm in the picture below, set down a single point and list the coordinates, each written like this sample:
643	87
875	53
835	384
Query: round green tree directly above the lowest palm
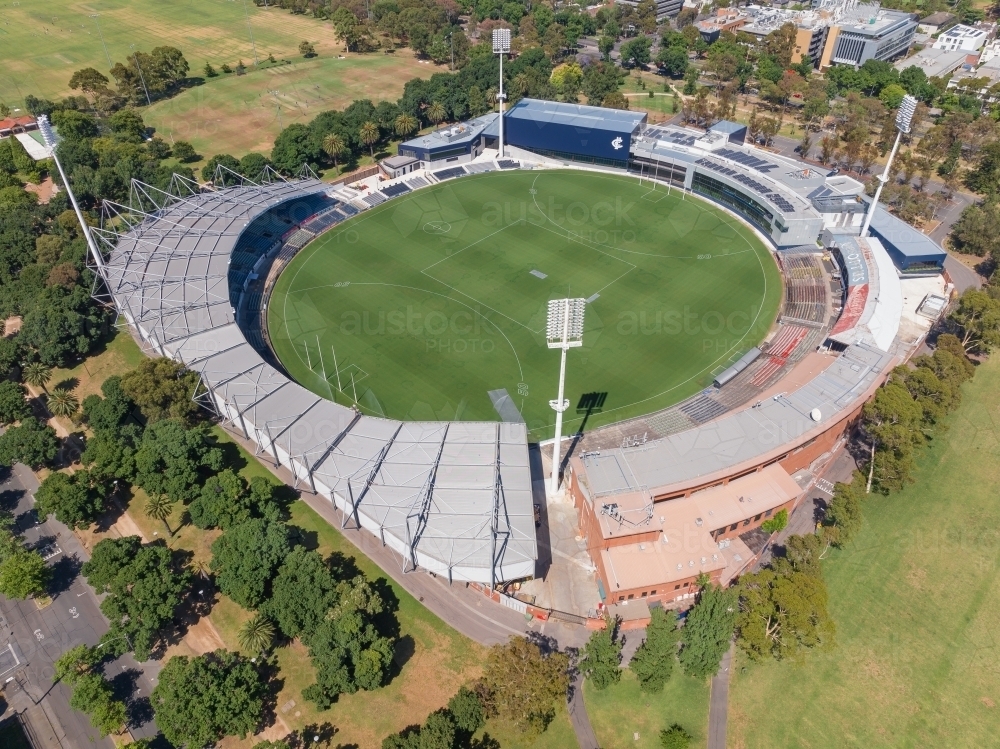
245	558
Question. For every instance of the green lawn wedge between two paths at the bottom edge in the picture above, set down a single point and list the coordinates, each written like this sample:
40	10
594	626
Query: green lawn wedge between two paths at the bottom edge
619	712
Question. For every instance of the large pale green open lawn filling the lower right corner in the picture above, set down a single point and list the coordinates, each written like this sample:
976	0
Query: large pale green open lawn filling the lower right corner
916	599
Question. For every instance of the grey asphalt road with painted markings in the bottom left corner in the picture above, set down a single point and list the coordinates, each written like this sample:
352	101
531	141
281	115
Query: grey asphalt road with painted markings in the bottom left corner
38	637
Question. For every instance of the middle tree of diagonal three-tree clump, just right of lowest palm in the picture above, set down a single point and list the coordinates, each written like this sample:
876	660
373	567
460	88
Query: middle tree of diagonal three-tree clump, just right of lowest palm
301	594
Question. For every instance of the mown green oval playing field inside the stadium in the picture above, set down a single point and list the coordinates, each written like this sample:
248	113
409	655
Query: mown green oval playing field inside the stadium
419	307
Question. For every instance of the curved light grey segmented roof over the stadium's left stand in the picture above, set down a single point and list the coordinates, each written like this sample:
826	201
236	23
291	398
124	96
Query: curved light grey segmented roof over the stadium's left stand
452	497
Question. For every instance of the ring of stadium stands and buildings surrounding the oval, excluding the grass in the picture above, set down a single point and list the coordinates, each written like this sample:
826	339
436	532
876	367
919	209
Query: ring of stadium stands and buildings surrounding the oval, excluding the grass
662	499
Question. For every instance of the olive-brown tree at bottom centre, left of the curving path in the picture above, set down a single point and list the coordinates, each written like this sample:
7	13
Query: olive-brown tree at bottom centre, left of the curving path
522	684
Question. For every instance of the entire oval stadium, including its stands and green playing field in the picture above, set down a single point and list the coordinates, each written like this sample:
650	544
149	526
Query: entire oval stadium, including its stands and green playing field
384	340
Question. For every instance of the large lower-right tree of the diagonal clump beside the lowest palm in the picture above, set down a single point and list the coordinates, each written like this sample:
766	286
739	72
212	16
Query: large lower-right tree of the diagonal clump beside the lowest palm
348	650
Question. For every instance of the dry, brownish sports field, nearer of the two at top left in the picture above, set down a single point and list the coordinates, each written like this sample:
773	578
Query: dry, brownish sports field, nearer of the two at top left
236	115
